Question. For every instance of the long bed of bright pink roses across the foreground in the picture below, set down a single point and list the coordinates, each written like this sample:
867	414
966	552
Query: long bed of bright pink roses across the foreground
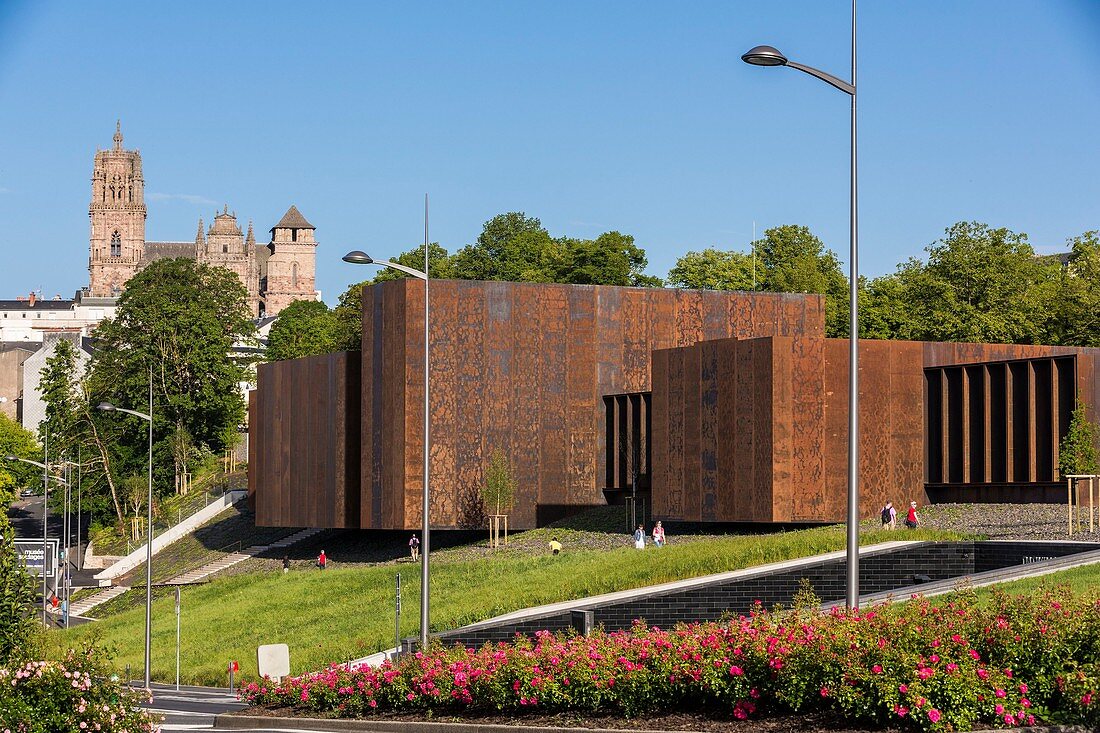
915	665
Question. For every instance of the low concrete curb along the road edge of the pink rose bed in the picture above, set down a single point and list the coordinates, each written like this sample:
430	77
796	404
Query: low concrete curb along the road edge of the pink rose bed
239	723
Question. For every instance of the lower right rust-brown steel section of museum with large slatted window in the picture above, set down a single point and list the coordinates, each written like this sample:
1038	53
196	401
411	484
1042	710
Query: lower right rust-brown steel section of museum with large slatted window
757	431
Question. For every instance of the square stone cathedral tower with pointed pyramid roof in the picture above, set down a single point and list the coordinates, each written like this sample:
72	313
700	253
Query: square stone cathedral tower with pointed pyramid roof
290	271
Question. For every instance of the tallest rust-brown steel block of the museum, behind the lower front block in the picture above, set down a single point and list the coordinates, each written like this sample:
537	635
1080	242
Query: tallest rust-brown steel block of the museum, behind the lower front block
524	369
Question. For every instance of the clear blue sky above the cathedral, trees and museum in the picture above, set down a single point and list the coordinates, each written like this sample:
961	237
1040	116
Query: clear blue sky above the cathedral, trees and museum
591	116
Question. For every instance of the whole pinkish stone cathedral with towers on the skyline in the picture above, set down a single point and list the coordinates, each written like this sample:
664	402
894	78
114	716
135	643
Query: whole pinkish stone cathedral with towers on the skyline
274	275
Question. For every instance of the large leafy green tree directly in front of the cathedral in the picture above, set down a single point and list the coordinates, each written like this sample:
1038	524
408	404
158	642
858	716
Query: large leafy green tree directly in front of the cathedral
179	321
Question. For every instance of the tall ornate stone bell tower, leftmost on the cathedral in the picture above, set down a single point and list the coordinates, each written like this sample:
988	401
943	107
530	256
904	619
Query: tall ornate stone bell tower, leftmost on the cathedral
118	218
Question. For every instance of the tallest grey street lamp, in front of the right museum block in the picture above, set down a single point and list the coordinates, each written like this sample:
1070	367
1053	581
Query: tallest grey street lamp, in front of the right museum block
771	57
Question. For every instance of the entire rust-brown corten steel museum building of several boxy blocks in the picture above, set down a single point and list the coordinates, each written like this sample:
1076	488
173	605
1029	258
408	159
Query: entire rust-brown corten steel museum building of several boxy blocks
716	407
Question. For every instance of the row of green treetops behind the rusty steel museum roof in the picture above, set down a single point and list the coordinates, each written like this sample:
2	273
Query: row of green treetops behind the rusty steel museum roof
977	283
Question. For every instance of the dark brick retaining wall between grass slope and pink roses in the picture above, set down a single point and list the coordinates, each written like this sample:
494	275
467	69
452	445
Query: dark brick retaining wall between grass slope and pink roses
903	571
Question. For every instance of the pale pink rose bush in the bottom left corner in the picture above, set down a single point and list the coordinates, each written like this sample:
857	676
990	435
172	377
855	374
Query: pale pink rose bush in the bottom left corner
72	695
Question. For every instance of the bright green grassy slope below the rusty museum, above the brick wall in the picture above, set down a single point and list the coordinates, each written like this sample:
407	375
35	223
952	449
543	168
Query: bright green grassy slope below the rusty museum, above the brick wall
337	615
